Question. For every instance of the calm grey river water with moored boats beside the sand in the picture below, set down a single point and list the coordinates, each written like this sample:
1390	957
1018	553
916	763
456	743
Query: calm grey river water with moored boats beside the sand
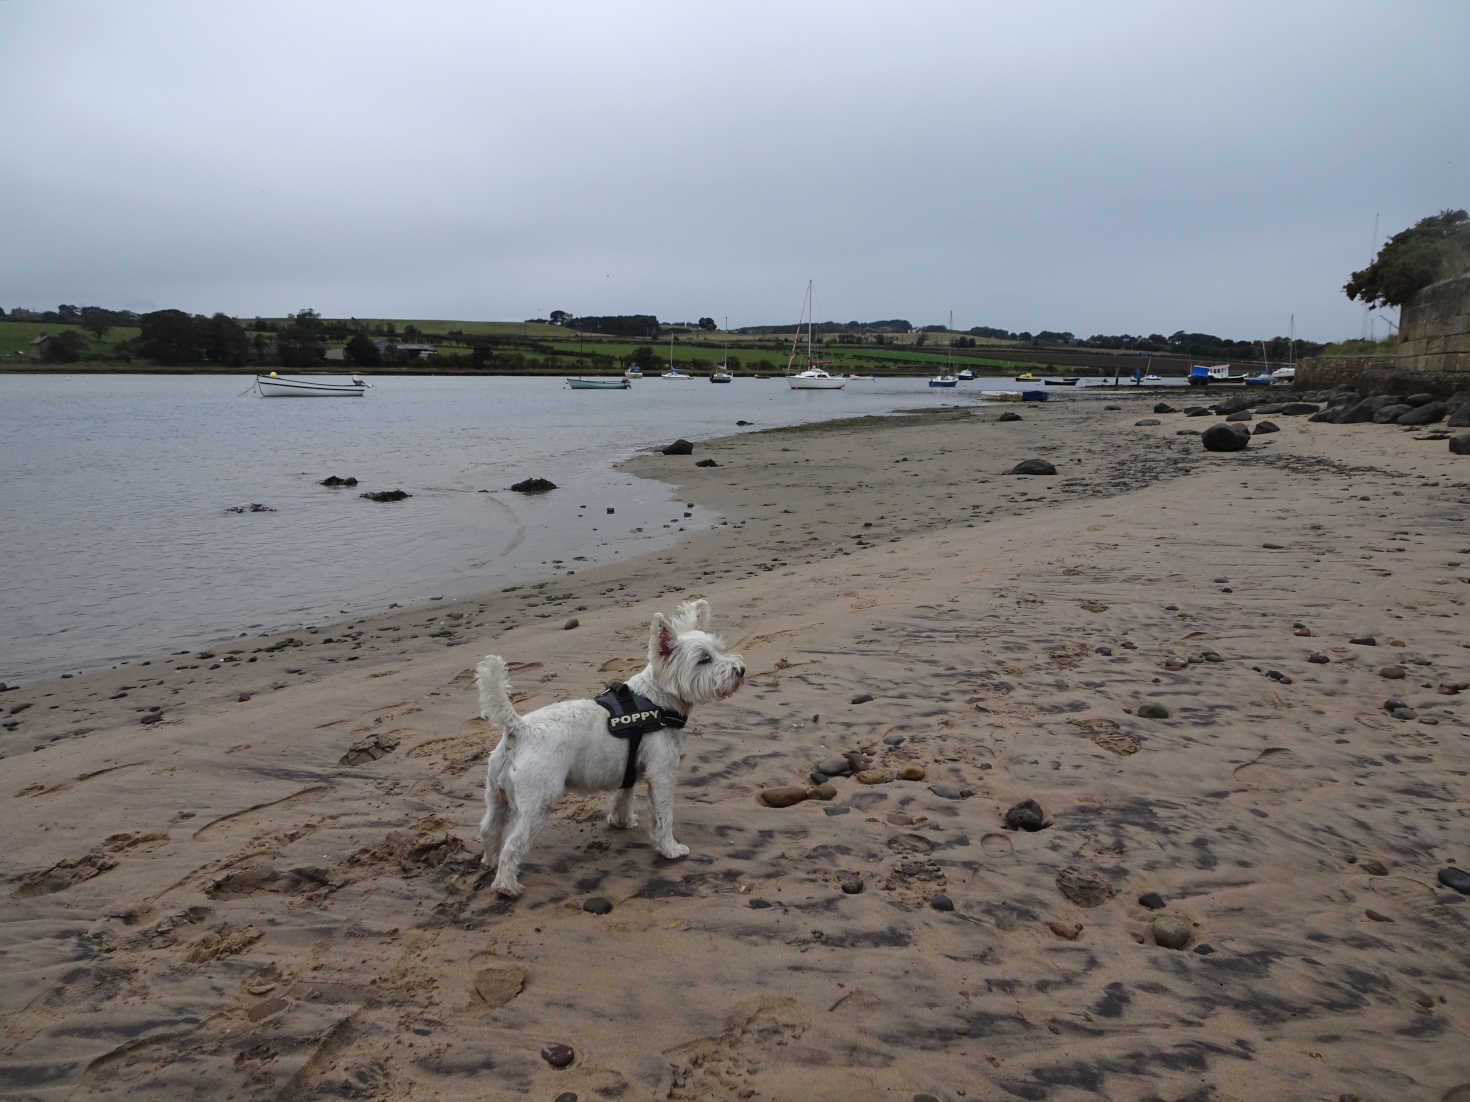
120	540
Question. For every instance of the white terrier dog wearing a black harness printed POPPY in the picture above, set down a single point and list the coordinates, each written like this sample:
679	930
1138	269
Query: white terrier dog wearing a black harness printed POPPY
571	744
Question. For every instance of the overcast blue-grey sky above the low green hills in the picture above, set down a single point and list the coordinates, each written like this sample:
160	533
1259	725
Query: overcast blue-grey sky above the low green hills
1099	168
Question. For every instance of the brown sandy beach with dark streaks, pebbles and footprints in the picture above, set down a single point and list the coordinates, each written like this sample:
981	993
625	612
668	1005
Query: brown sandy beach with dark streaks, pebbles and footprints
1234	684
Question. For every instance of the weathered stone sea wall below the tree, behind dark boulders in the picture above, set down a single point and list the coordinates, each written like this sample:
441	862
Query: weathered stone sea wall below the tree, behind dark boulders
1434	350
